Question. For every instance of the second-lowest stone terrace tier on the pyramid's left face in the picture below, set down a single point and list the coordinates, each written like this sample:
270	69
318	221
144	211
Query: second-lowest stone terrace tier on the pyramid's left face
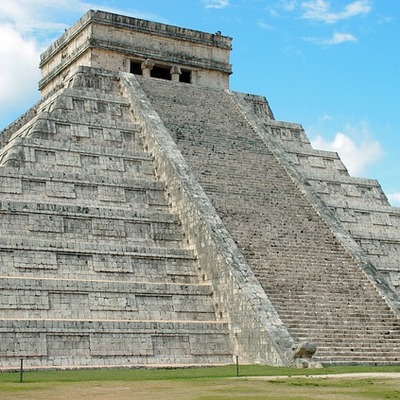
71	299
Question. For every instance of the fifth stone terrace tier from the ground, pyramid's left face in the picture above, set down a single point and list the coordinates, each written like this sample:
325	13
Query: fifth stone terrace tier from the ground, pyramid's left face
84	190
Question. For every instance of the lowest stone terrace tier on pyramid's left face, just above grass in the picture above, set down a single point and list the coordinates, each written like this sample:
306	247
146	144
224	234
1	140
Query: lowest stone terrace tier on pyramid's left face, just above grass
106	342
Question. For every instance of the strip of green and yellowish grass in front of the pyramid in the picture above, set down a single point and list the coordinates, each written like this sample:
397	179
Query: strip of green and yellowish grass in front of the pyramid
219	383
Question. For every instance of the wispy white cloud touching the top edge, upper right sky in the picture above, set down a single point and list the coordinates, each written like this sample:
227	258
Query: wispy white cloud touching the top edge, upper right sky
320	10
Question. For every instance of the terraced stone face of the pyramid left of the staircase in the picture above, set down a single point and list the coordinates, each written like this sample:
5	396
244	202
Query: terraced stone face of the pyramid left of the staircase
94	268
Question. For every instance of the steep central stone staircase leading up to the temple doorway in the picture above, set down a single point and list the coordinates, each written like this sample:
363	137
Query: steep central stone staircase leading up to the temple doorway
318	288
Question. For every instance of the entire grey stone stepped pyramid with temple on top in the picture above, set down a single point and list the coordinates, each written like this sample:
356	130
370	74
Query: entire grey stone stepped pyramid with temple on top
150	216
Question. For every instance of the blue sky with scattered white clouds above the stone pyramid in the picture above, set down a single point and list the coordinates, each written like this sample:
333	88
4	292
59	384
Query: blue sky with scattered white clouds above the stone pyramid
332	66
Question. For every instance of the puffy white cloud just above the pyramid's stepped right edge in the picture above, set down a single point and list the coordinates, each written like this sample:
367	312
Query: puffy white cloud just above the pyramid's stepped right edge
355	156
